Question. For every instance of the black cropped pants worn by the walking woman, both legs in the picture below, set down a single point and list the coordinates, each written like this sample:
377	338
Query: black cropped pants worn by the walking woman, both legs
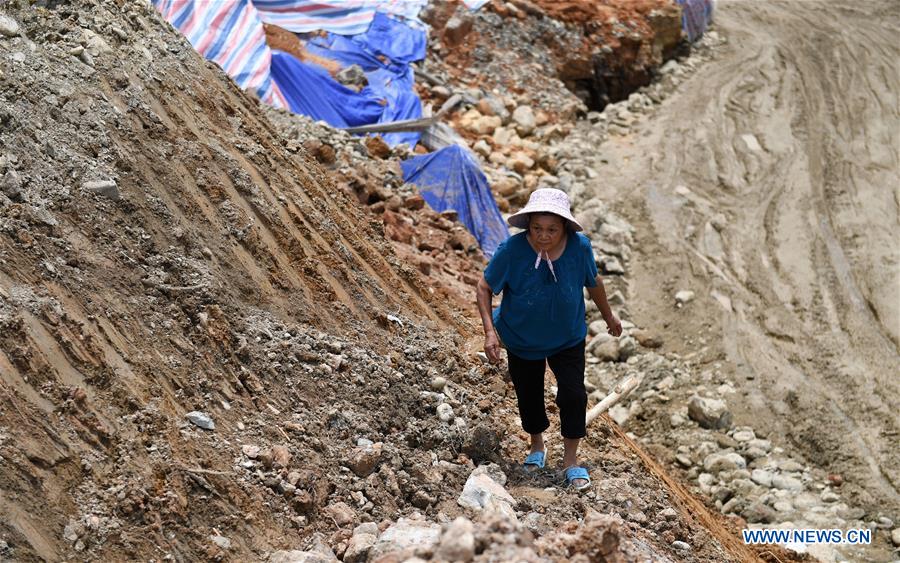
528	378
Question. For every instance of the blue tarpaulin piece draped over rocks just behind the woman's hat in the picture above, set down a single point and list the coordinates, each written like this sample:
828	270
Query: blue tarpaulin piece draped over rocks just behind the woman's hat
451	179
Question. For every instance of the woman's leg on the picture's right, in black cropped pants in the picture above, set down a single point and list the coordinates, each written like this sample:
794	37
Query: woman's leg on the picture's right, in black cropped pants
571	397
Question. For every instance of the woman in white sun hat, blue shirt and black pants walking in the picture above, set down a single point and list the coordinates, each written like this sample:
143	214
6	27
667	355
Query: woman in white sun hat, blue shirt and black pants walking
541	320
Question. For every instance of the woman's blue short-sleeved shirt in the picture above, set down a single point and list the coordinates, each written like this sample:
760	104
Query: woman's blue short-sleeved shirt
538	316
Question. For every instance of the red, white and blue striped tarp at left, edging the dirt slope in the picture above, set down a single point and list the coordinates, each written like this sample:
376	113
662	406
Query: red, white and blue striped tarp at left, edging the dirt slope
229	33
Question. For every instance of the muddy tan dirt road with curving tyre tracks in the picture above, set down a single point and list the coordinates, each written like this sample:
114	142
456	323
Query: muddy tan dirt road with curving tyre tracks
768	184
